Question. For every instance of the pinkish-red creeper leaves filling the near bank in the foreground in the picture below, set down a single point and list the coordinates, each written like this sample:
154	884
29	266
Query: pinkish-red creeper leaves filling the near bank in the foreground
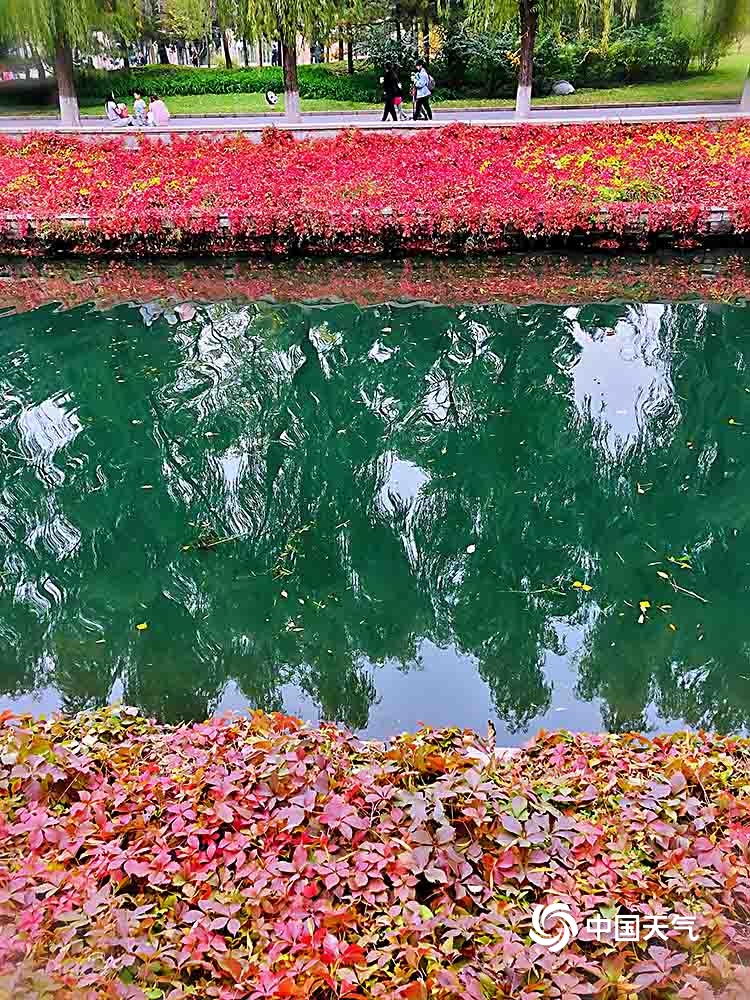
258	858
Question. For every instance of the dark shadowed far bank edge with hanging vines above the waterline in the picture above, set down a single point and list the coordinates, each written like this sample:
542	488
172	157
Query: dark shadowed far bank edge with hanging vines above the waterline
77	235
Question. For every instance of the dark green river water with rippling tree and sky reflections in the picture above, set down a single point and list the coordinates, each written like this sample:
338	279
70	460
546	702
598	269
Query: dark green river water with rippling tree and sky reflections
377	514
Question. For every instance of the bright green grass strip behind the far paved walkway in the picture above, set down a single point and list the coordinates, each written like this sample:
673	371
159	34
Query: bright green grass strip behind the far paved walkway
723	84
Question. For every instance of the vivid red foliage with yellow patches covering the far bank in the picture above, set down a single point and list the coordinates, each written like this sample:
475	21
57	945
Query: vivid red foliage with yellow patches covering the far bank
457	188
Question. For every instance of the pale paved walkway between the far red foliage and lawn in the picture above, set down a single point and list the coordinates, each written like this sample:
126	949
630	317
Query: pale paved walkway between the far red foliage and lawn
339	120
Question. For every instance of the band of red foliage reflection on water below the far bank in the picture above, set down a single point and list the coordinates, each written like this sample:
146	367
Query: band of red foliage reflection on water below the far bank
519	279
